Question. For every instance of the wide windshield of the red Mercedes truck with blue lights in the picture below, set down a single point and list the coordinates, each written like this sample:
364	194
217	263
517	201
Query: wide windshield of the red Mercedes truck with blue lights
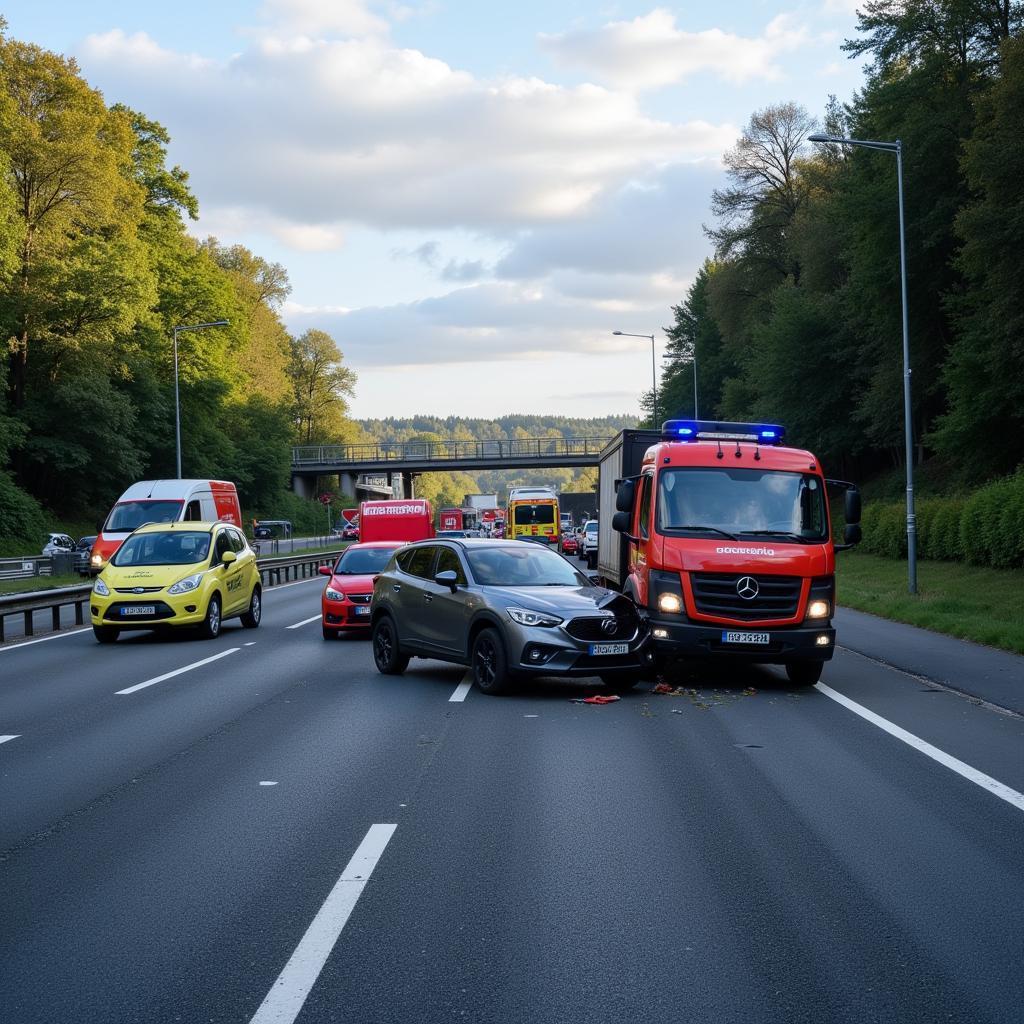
743	503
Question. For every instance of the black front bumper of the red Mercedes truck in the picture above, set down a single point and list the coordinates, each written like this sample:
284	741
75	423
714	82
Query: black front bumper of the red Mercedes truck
701	641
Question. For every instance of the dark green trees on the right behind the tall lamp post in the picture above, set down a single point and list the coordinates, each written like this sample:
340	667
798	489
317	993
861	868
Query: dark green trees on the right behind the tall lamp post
798	316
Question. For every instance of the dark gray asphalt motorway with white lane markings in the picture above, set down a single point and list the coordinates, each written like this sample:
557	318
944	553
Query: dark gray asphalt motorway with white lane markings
212	844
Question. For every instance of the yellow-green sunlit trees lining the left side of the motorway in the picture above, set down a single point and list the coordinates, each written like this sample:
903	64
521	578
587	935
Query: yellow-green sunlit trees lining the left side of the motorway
97	268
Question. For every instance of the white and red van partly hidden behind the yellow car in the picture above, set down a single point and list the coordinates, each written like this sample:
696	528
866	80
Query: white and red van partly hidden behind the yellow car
164	501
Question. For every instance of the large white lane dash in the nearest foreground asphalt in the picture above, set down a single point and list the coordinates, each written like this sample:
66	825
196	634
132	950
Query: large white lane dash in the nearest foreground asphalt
295	983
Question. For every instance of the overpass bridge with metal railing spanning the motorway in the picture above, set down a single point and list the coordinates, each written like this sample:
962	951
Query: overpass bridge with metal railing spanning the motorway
393	467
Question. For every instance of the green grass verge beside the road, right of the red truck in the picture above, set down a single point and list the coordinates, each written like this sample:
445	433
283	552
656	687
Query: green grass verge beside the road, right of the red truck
965	602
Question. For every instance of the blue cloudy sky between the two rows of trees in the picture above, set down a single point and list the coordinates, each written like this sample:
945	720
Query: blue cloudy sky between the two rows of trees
471	197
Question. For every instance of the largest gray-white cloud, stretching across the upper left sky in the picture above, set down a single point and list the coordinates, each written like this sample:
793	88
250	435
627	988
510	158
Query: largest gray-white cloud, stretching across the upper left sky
306	132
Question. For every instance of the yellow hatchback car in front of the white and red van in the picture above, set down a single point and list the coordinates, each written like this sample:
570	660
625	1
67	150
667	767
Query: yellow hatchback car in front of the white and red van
178	574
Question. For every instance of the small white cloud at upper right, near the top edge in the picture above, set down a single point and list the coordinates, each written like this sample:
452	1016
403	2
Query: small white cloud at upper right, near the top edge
651	52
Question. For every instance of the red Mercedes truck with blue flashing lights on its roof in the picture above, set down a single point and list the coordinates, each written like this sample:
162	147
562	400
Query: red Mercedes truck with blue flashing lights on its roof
723	538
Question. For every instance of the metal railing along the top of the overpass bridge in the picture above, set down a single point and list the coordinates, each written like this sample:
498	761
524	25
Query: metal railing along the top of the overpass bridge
446	450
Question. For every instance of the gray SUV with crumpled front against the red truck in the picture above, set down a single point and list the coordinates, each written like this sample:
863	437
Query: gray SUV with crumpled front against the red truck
506	610
